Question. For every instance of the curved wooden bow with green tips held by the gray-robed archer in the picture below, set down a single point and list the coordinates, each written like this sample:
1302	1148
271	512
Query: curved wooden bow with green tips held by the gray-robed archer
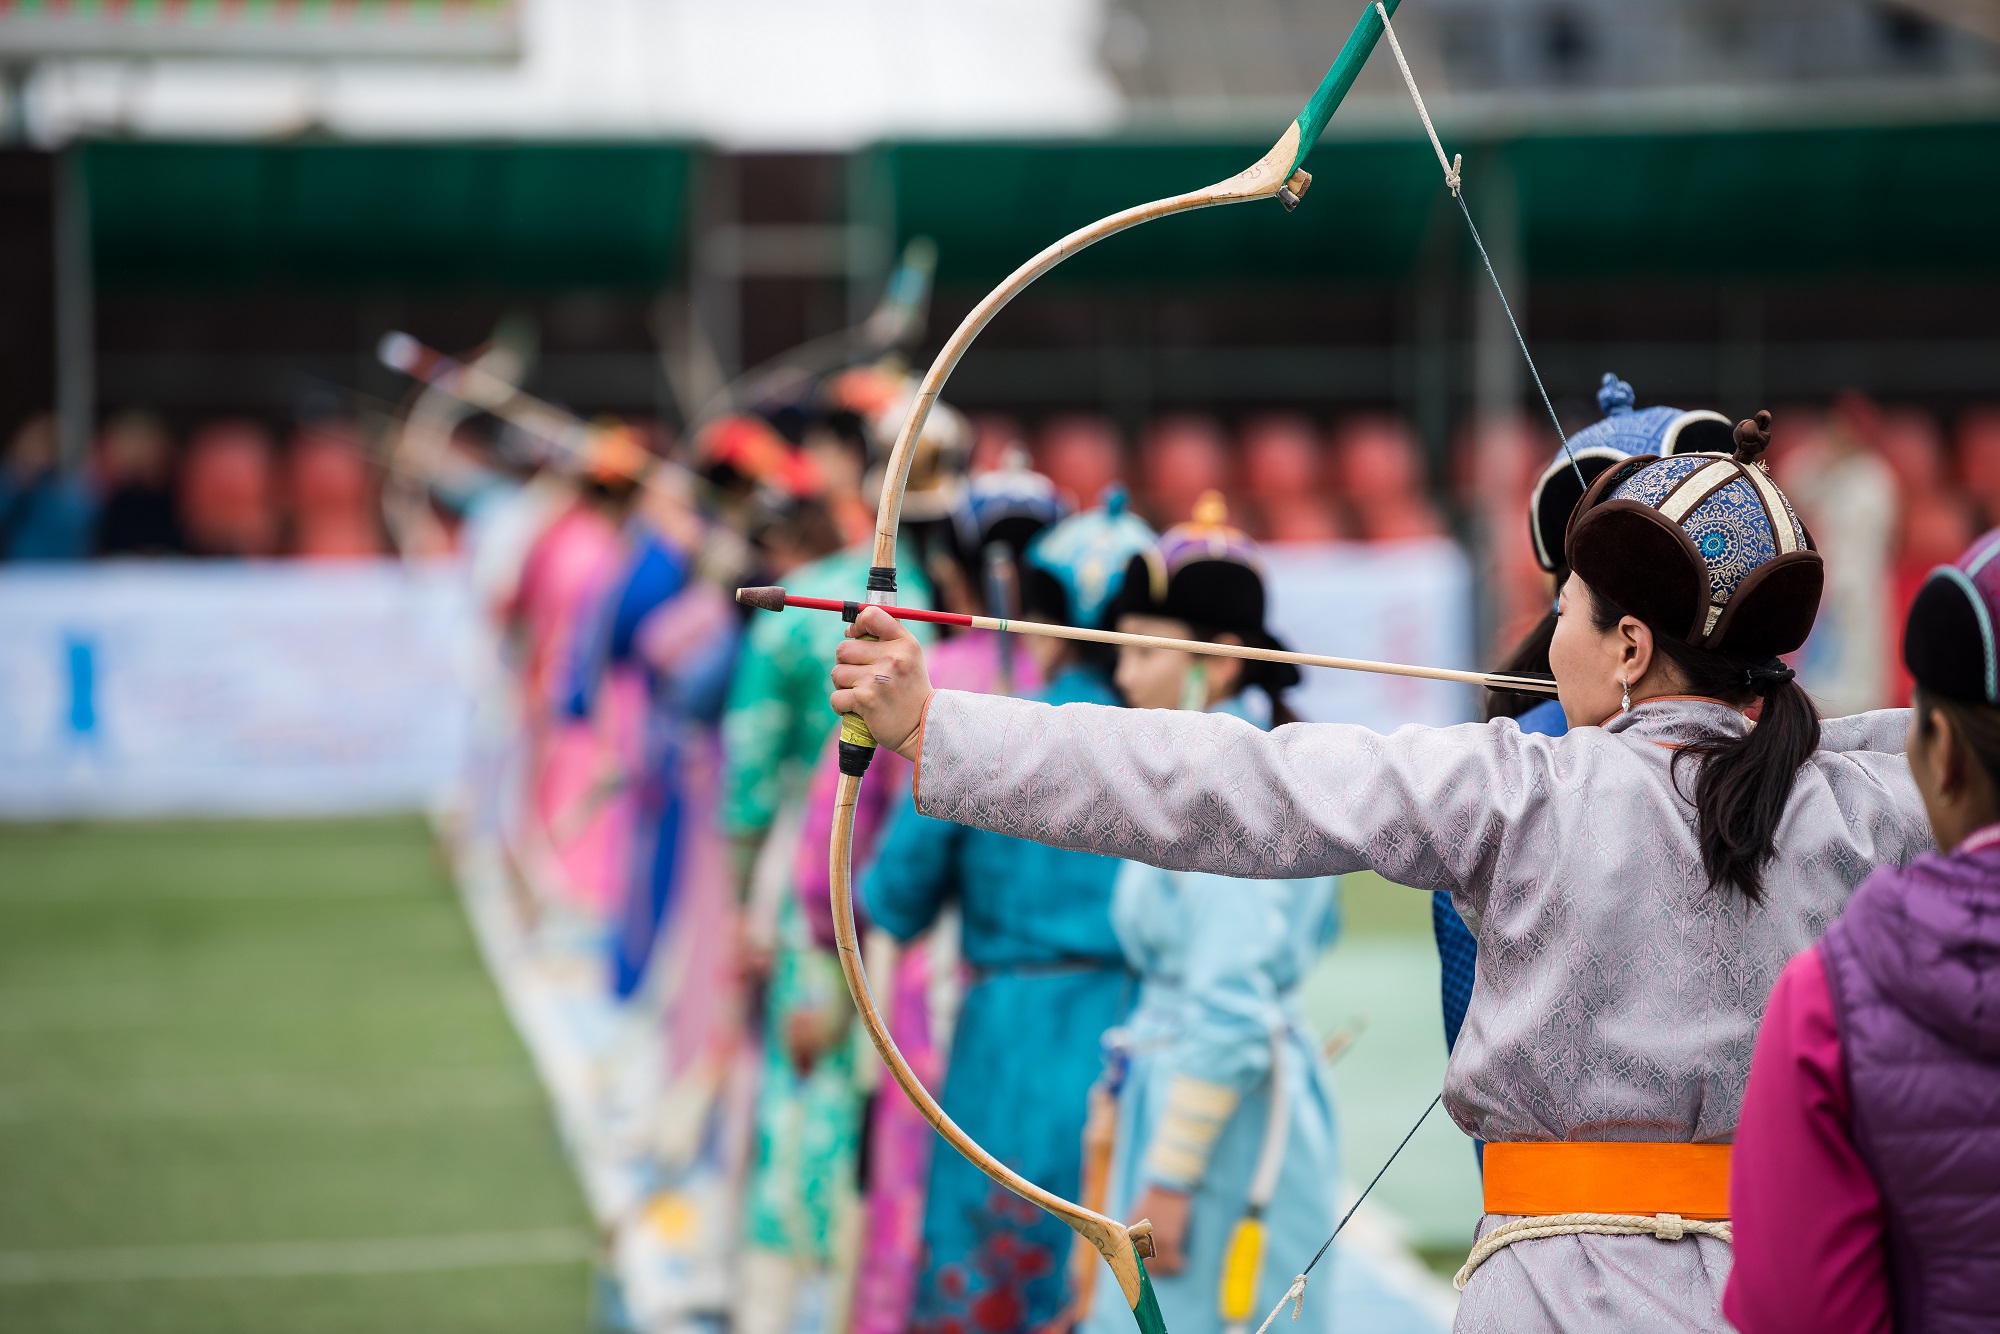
1277	175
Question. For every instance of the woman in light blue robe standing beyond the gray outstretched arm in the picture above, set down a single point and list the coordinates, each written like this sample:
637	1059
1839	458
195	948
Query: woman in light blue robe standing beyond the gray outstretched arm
1225	1127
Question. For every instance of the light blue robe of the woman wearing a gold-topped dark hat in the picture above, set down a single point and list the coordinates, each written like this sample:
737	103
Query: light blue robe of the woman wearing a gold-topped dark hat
1221	965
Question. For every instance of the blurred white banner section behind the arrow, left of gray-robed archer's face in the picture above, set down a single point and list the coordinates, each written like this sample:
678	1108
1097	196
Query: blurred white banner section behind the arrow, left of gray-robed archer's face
1383	601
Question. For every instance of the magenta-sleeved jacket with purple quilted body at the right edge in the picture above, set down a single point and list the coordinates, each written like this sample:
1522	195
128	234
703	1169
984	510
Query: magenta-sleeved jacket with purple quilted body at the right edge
1867	1177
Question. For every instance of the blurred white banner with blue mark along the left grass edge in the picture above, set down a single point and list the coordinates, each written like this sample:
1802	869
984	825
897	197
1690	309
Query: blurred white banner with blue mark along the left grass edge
231	689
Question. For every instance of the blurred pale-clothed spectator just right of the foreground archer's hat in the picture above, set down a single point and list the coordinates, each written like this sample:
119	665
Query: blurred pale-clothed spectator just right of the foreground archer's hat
1847	495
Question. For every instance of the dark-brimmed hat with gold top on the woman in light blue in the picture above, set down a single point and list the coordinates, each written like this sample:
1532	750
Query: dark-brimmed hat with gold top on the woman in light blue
1207	575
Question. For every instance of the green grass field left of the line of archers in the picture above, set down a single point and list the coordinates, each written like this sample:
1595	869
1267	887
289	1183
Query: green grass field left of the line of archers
253	1077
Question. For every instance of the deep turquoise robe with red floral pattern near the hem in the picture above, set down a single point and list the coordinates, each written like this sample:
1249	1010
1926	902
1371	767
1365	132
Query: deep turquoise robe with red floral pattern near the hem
1047	981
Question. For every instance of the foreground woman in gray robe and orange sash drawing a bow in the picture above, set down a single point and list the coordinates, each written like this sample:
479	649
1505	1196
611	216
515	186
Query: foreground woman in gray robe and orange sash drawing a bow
1635	885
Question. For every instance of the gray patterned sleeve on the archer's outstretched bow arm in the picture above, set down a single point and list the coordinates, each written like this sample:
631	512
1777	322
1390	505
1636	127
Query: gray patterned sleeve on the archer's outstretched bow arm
1425	807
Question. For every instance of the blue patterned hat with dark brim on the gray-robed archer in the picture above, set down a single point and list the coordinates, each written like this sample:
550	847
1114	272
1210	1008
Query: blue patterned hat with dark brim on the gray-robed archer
1703	547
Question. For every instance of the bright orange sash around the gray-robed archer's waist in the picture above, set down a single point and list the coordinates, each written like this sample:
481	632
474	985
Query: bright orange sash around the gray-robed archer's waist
1609	1179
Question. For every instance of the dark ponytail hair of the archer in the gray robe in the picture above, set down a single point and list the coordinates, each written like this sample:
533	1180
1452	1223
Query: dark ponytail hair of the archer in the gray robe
1745	783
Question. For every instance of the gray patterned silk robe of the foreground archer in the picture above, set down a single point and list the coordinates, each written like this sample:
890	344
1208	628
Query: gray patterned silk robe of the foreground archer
1617	995
